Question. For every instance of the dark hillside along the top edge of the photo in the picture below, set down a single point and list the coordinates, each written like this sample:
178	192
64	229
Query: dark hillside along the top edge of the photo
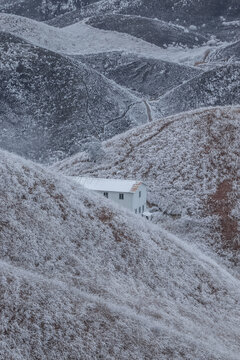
202	13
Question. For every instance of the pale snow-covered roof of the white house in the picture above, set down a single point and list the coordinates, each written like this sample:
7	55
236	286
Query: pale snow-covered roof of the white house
114	185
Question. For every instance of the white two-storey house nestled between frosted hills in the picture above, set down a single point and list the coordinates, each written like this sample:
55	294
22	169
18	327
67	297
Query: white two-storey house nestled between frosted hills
130	194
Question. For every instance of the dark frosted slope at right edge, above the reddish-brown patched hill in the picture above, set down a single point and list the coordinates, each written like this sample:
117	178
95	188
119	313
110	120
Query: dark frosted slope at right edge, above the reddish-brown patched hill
216	87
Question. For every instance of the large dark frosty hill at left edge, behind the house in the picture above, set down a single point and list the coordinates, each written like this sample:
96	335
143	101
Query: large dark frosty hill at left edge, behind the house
51	106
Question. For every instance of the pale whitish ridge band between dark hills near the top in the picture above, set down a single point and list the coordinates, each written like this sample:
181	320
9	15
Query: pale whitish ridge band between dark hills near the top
82	38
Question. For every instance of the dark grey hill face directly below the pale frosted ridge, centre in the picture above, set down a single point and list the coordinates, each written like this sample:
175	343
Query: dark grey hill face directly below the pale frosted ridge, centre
148	77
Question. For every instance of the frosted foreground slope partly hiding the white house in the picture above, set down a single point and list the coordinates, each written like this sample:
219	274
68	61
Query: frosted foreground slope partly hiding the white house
79	281
